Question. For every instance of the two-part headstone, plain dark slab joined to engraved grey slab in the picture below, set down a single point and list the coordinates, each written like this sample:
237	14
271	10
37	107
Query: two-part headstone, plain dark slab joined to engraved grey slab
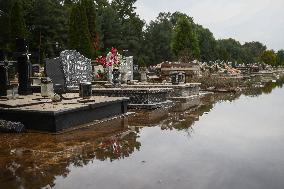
69	70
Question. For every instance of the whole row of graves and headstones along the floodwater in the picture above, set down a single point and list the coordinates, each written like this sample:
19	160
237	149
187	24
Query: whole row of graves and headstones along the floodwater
64	93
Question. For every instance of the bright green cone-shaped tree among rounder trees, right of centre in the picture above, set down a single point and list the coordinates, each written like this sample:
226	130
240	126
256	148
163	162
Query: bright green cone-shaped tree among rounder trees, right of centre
184	42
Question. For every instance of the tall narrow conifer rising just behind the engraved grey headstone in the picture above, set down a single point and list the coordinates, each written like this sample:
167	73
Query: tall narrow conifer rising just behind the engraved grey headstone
79	35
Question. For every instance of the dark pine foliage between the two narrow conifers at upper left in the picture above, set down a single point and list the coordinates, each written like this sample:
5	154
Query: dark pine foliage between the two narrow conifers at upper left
47	22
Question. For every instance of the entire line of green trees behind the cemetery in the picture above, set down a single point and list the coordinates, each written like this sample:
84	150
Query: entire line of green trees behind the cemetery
93	27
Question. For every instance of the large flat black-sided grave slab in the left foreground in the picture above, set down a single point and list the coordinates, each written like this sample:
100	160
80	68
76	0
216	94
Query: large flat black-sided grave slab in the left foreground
41	114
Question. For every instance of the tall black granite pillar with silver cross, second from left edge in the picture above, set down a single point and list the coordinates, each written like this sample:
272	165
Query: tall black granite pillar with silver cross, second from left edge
24	67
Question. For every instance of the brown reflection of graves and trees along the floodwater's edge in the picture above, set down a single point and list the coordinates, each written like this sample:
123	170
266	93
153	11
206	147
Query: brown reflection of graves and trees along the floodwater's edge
37	160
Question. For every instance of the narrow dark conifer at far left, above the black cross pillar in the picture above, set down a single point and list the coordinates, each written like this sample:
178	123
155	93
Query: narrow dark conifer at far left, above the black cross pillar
17	22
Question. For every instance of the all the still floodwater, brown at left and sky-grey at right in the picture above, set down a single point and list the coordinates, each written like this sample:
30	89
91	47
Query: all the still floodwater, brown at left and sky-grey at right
229	141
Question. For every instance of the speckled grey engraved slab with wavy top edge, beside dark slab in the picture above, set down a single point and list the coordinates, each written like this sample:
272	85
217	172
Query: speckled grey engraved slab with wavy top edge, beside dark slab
76	68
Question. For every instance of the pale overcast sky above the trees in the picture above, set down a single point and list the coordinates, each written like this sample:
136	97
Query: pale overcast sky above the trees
244	20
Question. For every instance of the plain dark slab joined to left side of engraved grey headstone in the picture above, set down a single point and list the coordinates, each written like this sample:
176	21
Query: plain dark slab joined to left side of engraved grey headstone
54	71
